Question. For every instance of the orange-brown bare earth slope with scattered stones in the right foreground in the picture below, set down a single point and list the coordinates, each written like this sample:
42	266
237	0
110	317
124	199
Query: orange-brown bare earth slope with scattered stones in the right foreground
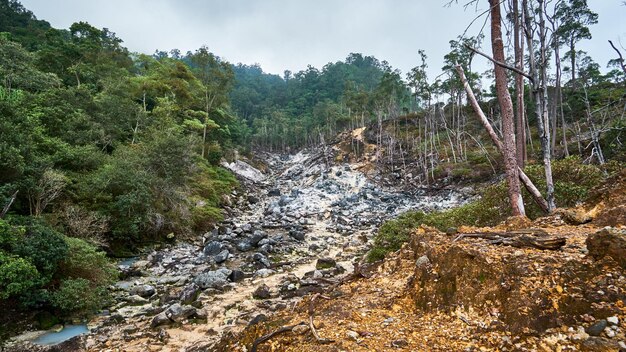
457	292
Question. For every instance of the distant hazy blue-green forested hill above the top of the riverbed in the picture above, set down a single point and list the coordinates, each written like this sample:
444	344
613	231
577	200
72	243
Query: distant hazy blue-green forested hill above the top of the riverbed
299	109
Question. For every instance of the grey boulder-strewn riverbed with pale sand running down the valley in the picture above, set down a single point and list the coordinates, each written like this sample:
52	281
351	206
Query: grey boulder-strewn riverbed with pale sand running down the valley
298	227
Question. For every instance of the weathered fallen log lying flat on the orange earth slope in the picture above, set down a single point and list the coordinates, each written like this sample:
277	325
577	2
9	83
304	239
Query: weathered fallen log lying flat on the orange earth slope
534	238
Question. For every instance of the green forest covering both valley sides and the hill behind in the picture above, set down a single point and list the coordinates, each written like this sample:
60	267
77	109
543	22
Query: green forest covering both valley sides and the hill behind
104	150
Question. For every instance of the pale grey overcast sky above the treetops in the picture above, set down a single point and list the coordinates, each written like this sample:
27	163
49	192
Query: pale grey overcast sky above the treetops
290	34
